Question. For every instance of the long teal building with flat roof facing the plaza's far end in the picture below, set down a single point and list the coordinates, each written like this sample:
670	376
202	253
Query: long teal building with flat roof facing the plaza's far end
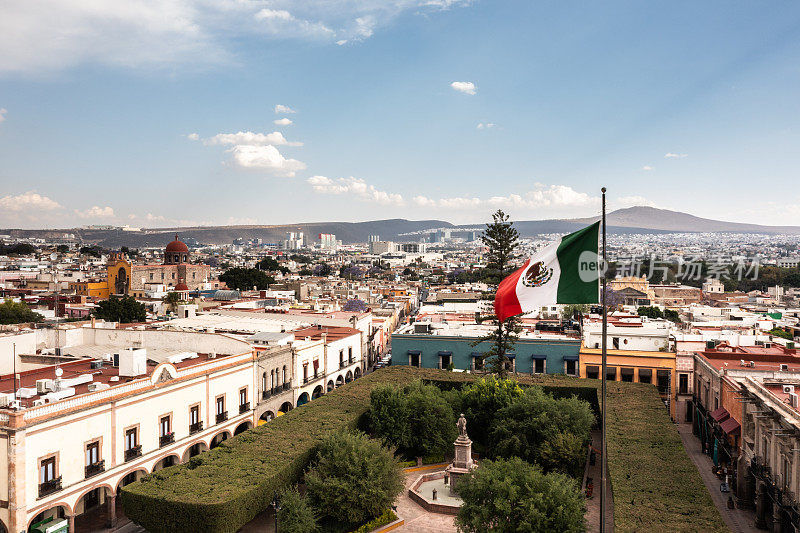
534	355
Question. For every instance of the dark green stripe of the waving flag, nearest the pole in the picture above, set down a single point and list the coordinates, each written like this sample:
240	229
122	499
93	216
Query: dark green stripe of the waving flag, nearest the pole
579	282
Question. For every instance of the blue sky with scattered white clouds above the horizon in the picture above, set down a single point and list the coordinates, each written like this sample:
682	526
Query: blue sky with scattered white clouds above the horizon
162	113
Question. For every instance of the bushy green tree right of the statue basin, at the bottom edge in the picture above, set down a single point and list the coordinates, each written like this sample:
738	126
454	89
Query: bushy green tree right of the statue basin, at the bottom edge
512	495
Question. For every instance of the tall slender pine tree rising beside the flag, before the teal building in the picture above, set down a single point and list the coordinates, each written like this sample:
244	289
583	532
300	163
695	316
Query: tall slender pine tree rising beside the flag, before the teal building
502	239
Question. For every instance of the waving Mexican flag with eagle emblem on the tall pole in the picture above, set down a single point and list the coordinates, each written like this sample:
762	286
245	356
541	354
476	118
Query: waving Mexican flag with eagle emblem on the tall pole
565	272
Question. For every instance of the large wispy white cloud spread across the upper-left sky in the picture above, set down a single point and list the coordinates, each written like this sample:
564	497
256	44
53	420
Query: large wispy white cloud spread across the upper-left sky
51	35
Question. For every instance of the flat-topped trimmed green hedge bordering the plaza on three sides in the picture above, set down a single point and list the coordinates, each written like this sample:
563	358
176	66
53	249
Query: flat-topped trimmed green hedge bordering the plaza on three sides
656	486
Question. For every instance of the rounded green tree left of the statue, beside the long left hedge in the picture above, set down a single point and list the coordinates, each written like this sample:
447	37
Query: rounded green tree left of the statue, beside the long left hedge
353	478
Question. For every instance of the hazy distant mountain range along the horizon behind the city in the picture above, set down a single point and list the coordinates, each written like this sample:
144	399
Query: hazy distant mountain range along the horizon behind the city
639	219
